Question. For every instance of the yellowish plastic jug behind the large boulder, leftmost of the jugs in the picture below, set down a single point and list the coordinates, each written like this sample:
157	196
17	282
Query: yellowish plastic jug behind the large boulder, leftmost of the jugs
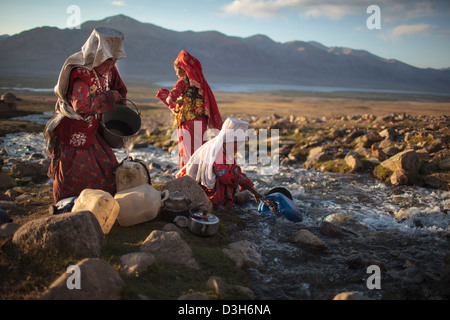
102	204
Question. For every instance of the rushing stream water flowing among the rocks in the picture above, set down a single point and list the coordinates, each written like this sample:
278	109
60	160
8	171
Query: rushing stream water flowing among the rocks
362	205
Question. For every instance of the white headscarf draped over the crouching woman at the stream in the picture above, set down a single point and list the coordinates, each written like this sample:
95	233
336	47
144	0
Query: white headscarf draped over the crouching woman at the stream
200	165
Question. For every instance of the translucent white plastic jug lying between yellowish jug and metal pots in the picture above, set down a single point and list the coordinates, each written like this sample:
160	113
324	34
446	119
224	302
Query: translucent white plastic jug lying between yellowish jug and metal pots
139	204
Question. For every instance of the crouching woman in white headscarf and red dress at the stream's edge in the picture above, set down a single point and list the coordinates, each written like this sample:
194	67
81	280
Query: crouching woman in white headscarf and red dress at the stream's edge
214	167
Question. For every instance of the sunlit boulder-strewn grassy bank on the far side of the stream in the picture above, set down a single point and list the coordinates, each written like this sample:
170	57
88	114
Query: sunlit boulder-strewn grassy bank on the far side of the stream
399	149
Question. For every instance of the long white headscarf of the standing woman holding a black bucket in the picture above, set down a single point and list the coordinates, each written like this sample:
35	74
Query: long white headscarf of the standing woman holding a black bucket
102	44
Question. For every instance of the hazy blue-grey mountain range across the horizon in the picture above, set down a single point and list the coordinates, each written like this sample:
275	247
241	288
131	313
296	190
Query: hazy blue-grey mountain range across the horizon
151	50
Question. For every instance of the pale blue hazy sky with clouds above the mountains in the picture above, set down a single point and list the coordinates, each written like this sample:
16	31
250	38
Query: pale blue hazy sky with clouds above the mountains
415	32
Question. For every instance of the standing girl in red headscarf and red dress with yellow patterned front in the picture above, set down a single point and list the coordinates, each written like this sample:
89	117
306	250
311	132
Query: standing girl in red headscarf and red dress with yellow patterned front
194	105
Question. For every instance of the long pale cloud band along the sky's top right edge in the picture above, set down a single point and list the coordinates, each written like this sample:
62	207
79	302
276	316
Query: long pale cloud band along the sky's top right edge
334	9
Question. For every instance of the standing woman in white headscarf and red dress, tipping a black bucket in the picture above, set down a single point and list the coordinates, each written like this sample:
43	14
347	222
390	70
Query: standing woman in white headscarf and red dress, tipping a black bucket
89	84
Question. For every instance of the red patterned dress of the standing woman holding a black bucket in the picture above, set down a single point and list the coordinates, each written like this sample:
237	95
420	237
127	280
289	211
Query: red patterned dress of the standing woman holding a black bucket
82	158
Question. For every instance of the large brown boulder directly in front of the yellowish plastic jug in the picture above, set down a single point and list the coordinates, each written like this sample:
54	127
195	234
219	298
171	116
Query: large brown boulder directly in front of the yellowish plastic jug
76	232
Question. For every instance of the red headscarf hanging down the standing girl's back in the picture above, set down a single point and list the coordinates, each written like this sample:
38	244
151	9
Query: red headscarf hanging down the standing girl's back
194	72
